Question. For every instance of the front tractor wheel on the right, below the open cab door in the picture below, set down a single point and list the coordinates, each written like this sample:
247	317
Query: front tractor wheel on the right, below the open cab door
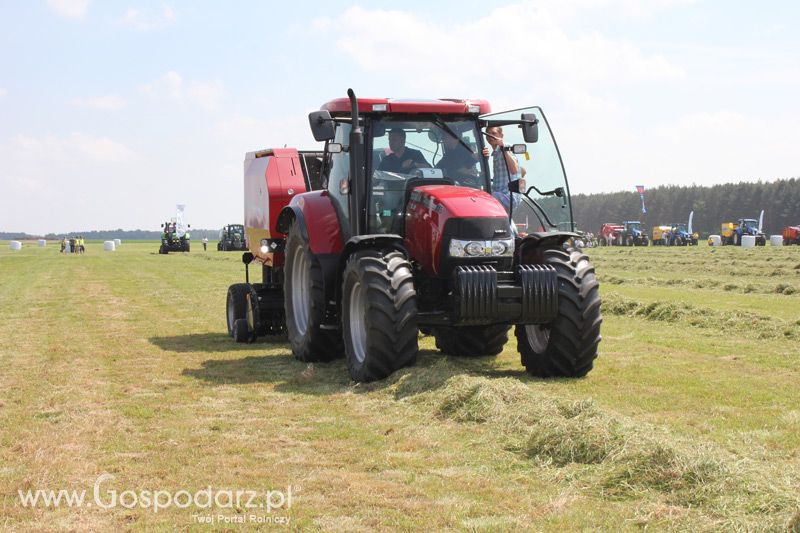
567	347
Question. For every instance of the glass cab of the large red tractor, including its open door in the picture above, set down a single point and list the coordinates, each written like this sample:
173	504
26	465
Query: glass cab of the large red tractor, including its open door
411	146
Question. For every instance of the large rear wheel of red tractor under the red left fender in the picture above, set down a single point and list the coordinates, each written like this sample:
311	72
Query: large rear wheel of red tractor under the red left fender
304	302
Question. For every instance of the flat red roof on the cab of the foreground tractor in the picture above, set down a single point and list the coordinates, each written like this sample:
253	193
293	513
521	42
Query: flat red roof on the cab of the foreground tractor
443	106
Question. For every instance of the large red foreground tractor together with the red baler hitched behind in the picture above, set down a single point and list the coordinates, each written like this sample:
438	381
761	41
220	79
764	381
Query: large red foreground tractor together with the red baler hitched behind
405	234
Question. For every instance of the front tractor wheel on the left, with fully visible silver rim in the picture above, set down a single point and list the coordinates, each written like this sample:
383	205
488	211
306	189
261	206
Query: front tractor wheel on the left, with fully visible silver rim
379	314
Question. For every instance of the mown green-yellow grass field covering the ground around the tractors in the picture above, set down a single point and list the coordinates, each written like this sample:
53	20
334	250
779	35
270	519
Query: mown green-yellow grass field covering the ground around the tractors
119	363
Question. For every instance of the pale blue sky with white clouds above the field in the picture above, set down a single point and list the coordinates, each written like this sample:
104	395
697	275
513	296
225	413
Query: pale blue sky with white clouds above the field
112	112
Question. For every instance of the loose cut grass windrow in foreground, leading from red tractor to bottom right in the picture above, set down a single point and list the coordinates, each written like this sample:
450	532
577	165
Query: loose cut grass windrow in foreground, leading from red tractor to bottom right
609	455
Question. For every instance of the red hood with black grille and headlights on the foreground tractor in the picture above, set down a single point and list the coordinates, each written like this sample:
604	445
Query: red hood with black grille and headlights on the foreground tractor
437	214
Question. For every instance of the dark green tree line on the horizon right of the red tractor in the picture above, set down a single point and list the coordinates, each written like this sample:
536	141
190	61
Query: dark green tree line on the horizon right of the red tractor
712	206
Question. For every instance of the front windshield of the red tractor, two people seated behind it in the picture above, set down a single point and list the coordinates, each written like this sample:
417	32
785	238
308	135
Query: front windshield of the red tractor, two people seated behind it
435	147
